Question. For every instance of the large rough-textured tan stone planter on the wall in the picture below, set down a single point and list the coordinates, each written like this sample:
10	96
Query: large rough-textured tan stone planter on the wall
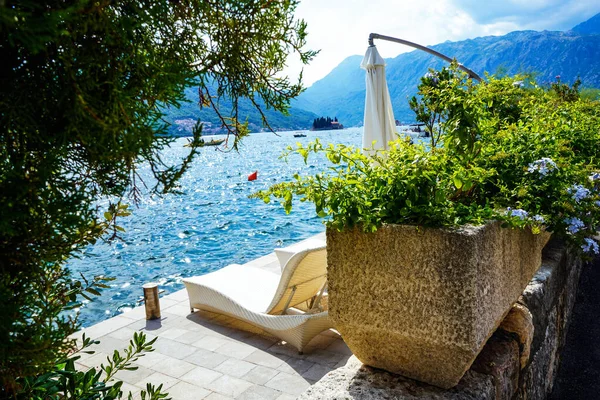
422	303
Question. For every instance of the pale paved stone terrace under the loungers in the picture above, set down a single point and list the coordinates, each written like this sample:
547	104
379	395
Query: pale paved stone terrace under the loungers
209	356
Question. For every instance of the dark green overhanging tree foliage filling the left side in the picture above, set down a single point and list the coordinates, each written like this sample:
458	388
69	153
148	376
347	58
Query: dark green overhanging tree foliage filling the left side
82	86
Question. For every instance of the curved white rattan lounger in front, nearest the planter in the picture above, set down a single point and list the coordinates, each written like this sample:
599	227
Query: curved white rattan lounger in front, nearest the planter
265	299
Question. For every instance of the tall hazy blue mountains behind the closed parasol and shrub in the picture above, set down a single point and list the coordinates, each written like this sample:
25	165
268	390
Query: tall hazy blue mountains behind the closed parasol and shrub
547	54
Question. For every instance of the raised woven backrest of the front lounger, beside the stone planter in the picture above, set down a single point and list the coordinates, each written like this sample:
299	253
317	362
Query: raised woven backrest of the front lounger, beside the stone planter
303	276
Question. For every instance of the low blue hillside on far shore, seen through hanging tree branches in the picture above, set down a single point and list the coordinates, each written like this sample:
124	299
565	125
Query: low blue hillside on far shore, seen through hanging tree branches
183	119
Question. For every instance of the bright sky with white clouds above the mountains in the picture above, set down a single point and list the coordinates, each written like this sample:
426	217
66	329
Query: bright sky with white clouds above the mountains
340	28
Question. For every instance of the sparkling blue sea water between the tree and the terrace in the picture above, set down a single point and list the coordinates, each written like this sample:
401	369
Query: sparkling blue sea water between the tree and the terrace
211	225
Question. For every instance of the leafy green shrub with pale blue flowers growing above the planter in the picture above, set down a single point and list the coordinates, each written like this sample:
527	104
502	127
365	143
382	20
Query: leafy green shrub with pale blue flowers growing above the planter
503	150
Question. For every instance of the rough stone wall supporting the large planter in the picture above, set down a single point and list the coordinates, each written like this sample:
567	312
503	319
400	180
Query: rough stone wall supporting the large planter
518	362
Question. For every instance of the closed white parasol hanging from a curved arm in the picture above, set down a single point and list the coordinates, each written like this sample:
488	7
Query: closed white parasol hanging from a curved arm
379	122
